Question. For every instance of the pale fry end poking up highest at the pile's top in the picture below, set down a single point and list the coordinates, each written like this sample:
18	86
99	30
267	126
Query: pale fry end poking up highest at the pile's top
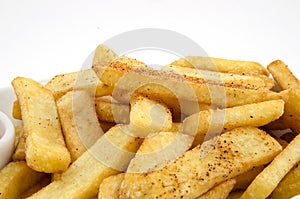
103	54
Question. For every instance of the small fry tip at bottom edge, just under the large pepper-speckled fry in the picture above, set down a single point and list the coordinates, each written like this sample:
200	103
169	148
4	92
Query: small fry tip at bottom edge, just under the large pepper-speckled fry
220	191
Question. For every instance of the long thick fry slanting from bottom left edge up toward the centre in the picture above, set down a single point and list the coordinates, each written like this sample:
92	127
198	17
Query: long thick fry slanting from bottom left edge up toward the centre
110	155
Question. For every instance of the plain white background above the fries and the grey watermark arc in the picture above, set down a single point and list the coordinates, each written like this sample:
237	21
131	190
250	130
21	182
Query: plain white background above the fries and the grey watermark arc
39	39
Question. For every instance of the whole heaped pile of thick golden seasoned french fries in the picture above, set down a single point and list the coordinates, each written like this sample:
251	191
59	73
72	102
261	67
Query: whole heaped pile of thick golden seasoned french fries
199	127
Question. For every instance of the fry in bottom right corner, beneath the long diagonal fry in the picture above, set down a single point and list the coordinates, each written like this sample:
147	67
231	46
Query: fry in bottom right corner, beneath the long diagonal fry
289	186
